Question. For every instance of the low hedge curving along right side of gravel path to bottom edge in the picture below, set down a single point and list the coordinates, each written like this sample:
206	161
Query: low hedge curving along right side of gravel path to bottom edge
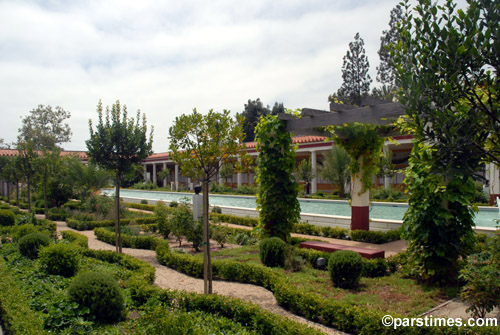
331	313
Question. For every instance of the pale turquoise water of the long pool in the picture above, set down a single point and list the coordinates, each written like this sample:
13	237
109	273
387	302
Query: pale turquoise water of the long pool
388	211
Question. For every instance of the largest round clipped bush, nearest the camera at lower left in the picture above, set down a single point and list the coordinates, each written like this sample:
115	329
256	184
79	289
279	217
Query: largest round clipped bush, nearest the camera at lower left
100	293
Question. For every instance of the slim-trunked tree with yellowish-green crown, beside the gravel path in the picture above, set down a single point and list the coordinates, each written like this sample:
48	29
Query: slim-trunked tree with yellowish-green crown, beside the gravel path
199	144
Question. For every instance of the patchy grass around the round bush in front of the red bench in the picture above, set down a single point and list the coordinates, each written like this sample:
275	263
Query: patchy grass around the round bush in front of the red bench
391	294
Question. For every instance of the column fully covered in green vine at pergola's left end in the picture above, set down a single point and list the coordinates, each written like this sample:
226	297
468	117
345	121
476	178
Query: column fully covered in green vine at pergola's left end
277	192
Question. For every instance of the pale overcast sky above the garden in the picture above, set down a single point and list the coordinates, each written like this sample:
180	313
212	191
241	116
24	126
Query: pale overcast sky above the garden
167	57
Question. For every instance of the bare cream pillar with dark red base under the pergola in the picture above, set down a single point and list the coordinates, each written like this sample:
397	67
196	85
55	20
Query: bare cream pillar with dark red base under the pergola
360	201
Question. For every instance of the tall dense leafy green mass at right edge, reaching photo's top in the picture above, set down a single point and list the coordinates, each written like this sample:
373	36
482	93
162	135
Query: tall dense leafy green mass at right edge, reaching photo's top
447	68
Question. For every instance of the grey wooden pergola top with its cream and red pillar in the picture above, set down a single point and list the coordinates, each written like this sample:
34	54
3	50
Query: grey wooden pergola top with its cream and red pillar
370	111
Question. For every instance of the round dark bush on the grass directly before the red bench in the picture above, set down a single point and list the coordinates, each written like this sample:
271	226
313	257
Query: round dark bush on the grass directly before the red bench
345	268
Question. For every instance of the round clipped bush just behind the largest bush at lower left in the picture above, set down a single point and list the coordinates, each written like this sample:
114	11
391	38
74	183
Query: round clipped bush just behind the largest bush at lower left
60	259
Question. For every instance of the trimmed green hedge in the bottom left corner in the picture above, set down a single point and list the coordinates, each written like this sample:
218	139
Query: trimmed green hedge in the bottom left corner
15	313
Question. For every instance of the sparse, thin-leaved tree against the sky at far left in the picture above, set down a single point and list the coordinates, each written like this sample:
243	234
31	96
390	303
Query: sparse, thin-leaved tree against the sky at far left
45	129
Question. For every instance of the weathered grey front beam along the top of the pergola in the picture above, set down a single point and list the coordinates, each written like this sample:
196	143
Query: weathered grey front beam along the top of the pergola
371	115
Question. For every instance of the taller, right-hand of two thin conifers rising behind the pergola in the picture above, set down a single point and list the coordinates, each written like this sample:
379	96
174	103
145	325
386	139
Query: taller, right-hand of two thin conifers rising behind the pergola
386	70
